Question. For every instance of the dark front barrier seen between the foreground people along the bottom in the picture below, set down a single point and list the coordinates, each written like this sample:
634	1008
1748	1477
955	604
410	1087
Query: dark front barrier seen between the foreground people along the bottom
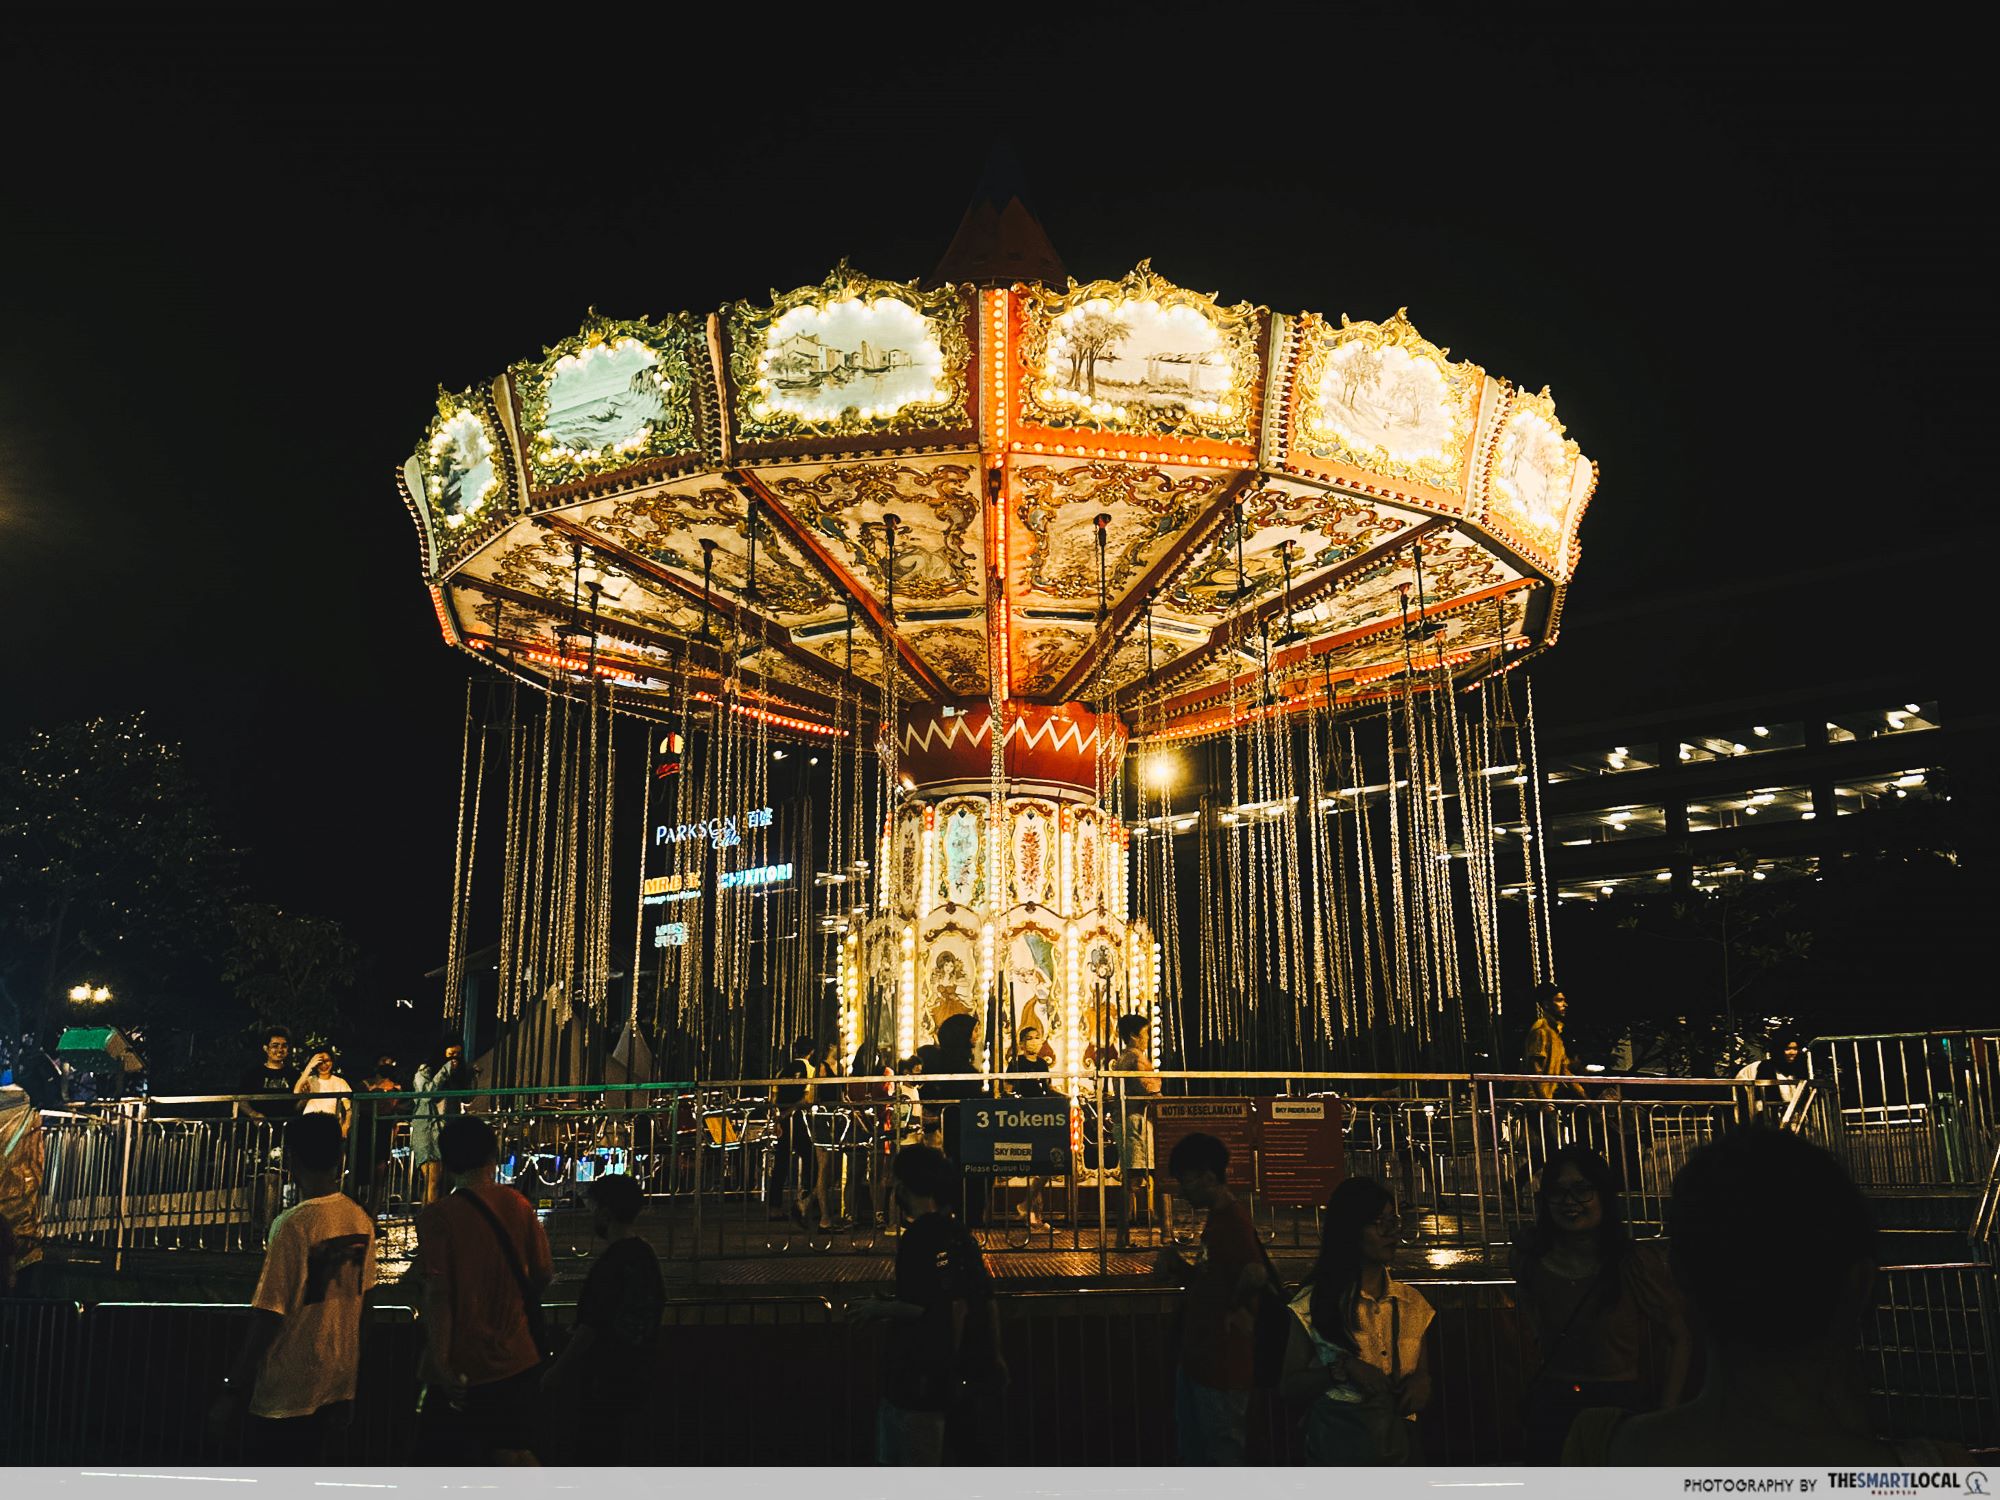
793	1381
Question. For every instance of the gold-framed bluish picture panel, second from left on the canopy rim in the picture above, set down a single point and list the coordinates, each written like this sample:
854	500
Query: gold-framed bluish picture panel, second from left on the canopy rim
651	417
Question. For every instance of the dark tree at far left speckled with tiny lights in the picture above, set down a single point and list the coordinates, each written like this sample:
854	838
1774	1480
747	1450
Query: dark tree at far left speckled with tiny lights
111	873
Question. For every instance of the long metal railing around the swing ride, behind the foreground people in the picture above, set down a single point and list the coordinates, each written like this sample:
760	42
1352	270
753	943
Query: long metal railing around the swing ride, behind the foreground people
739	1175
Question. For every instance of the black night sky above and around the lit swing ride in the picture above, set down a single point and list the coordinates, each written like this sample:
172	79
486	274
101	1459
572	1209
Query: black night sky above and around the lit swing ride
241	257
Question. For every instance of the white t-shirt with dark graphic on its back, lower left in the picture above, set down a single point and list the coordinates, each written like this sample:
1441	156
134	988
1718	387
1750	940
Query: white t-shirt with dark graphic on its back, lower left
319	1267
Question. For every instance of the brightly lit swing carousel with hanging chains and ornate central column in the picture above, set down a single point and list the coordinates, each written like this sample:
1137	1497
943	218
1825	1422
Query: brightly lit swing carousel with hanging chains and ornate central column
1005	559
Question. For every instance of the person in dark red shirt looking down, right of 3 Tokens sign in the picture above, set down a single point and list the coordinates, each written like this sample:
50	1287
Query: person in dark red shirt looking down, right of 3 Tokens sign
1219	1333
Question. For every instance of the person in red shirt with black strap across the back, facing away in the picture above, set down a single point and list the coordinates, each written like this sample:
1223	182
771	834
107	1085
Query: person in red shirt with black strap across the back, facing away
487	1265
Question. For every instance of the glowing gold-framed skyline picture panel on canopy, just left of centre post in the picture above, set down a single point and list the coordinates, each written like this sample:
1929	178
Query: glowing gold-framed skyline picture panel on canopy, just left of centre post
781	375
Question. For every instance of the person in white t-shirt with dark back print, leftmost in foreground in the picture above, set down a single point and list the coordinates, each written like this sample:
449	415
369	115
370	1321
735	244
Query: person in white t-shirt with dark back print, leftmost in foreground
295	1375
